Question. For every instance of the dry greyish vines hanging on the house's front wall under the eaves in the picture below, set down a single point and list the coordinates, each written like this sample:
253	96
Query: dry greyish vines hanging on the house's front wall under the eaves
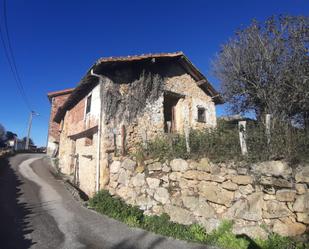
125	103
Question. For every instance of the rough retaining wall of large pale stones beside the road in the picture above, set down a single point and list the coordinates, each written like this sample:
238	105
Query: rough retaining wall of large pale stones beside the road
269	194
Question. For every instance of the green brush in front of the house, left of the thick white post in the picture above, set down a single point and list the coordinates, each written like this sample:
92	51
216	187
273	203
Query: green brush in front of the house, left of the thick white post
218	144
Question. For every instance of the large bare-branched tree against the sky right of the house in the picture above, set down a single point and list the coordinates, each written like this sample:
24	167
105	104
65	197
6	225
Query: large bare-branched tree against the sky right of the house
265	68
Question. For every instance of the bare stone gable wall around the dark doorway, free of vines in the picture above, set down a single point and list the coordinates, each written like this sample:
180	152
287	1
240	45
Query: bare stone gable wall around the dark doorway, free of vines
150	123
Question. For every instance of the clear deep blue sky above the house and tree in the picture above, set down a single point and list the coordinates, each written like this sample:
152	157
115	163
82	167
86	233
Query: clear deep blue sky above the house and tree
55	42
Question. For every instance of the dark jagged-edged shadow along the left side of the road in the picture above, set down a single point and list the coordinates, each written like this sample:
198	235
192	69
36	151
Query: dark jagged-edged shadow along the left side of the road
14	214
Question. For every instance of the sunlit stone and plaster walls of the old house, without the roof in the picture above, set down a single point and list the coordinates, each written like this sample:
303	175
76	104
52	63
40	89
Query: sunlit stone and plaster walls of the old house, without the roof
89	139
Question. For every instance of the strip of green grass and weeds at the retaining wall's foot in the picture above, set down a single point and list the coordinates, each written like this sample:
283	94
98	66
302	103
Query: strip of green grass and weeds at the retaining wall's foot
222	237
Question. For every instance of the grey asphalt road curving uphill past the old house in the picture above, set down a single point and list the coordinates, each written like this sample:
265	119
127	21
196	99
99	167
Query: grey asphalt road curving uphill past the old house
37	211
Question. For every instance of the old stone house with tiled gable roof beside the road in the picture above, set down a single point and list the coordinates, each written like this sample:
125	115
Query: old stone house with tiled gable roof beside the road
122	101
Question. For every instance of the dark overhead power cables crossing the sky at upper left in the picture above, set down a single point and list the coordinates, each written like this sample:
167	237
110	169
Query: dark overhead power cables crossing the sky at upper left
11	59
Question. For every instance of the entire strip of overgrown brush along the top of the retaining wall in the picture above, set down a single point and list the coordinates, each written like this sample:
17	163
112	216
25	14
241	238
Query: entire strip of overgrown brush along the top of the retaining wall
222	144
